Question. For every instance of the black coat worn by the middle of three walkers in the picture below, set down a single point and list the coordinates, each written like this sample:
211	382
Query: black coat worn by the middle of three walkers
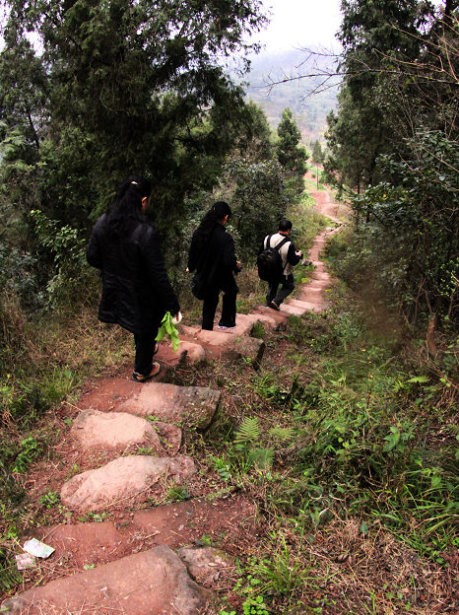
216	260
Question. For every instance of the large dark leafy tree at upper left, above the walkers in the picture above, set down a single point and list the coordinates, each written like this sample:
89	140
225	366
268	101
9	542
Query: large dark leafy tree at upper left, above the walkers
135	86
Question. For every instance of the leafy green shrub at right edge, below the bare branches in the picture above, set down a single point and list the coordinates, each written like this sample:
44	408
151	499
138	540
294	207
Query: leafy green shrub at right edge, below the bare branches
411	242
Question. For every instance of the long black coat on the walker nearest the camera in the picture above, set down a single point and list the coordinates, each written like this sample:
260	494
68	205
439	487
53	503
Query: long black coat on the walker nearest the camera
136	291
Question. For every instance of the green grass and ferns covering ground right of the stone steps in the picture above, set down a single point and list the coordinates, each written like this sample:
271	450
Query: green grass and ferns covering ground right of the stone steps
346	426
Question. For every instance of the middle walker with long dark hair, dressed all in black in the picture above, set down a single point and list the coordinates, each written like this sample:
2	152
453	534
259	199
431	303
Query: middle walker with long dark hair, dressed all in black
212	256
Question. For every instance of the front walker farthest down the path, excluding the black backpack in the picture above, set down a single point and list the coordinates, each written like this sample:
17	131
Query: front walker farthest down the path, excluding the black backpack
278	290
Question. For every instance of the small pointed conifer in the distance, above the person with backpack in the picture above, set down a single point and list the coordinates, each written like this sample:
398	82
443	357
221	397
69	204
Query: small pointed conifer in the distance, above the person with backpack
291	154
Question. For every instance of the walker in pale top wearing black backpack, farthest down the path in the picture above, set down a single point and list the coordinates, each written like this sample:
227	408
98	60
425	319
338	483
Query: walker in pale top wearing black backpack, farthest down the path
275	262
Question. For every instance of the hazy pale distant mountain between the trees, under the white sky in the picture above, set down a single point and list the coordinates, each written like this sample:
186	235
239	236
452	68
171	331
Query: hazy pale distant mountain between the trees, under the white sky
310	98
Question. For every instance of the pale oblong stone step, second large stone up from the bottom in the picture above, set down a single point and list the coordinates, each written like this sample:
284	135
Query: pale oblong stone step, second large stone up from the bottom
124	480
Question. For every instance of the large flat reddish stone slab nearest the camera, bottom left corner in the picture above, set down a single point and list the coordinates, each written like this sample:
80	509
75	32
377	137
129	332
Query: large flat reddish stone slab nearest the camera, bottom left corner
154	582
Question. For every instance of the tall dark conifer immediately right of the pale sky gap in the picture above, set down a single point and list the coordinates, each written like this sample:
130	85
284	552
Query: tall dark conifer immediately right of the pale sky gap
372	33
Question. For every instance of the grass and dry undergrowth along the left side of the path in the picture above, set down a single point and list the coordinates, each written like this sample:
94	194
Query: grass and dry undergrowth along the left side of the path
35	393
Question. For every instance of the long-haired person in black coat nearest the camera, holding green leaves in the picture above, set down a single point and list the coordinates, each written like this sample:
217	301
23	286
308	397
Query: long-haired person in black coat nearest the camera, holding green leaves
136	291
